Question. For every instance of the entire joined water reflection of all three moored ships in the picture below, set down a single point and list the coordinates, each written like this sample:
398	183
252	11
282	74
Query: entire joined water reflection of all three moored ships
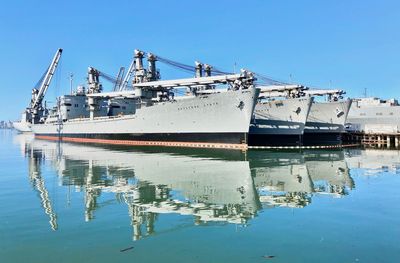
210	186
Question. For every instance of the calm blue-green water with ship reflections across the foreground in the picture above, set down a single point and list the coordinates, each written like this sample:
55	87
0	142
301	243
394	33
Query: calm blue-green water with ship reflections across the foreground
84	203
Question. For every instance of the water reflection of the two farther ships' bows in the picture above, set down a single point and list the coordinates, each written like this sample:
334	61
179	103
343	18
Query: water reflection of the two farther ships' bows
291	178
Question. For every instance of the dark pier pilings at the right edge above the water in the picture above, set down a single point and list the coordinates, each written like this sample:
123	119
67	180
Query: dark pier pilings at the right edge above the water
388	140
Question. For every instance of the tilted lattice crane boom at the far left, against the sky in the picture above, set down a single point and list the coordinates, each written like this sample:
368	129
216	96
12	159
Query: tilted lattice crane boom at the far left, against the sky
38	95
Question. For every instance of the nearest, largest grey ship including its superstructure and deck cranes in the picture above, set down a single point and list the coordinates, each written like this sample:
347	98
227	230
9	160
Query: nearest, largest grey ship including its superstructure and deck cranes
150	115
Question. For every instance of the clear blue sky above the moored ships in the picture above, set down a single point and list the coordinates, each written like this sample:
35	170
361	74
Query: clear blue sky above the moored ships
351	44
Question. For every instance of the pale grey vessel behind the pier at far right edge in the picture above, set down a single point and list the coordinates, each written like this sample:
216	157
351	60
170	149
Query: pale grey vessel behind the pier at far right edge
374	115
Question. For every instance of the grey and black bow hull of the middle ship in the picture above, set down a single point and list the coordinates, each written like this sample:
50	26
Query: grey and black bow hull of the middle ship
279	122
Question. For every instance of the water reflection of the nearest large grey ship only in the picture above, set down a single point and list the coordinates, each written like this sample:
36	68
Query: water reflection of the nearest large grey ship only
209	188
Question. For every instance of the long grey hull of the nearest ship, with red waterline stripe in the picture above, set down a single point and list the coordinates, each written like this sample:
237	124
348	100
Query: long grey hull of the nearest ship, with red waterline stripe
213	121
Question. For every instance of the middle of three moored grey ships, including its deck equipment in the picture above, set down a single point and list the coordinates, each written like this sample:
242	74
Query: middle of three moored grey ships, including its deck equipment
280	122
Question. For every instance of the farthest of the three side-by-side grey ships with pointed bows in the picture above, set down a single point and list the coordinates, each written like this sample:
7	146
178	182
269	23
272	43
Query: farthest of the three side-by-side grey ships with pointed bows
326	120
